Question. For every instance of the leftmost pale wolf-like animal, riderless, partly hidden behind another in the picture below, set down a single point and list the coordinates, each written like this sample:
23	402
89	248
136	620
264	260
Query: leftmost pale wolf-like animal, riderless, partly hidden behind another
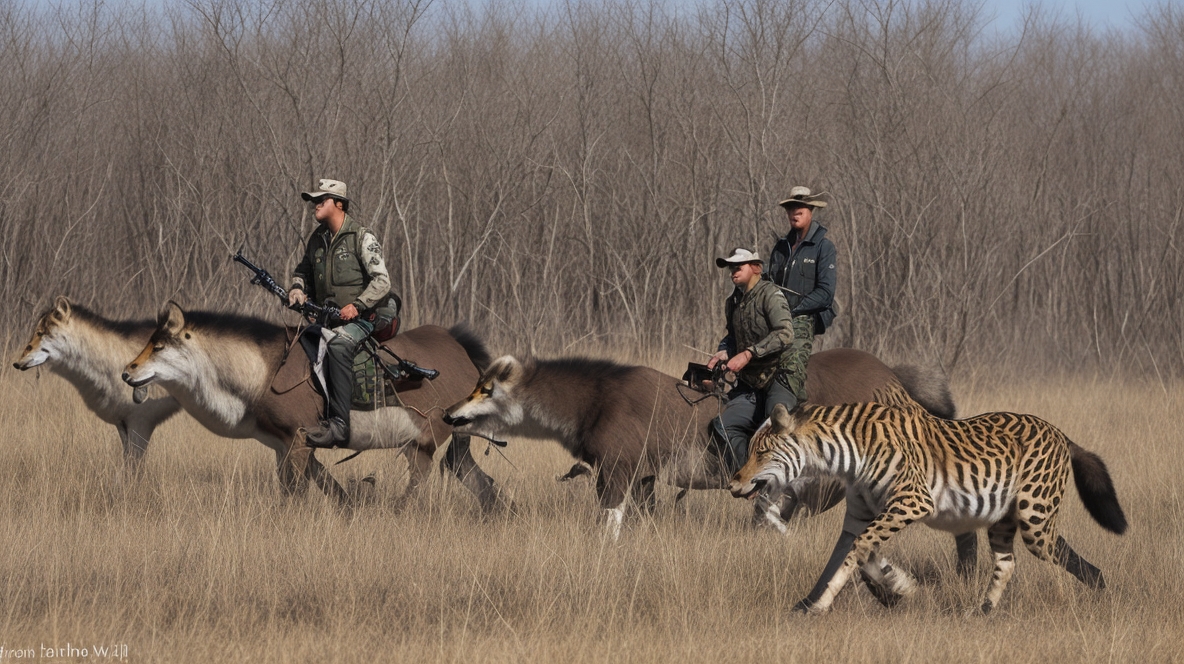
89	351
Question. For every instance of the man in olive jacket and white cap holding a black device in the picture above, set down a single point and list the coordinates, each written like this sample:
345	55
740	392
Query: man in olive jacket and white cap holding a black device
757	346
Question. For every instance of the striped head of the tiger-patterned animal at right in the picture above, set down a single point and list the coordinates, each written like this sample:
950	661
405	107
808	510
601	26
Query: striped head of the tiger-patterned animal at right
775	454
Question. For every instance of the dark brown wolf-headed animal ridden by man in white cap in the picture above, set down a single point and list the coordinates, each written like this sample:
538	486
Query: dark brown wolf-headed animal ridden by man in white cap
633	426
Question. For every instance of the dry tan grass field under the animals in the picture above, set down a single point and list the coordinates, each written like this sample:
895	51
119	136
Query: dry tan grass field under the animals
201	559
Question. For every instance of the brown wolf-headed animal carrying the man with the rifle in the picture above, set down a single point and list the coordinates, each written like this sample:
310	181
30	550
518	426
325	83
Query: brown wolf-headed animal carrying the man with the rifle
233	375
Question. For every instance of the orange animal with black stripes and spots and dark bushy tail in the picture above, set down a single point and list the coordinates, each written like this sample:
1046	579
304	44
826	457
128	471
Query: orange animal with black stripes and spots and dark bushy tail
1002	472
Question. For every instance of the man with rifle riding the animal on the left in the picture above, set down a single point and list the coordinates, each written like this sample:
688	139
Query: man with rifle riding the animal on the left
343	266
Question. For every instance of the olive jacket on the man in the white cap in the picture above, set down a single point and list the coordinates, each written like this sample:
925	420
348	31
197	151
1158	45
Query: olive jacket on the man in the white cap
760	321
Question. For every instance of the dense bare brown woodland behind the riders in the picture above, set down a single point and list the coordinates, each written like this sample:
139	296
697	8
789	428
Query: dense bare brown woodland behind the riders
563	176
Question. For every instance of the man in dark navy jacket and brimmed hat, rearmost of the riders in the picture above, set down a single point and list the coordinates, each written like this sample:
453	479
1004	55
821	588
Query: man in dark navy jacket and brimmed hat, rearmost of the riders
805	266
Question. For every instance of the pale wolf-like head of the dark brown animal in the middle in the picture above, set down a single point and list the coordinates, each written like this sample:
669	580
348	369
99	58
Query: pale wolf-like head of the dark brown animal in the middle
494	405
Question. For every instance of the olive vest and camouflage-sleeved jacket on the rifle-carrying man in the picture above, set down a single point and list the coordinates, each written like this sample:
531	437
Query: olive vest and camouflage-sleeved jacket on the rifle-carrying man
348	269
